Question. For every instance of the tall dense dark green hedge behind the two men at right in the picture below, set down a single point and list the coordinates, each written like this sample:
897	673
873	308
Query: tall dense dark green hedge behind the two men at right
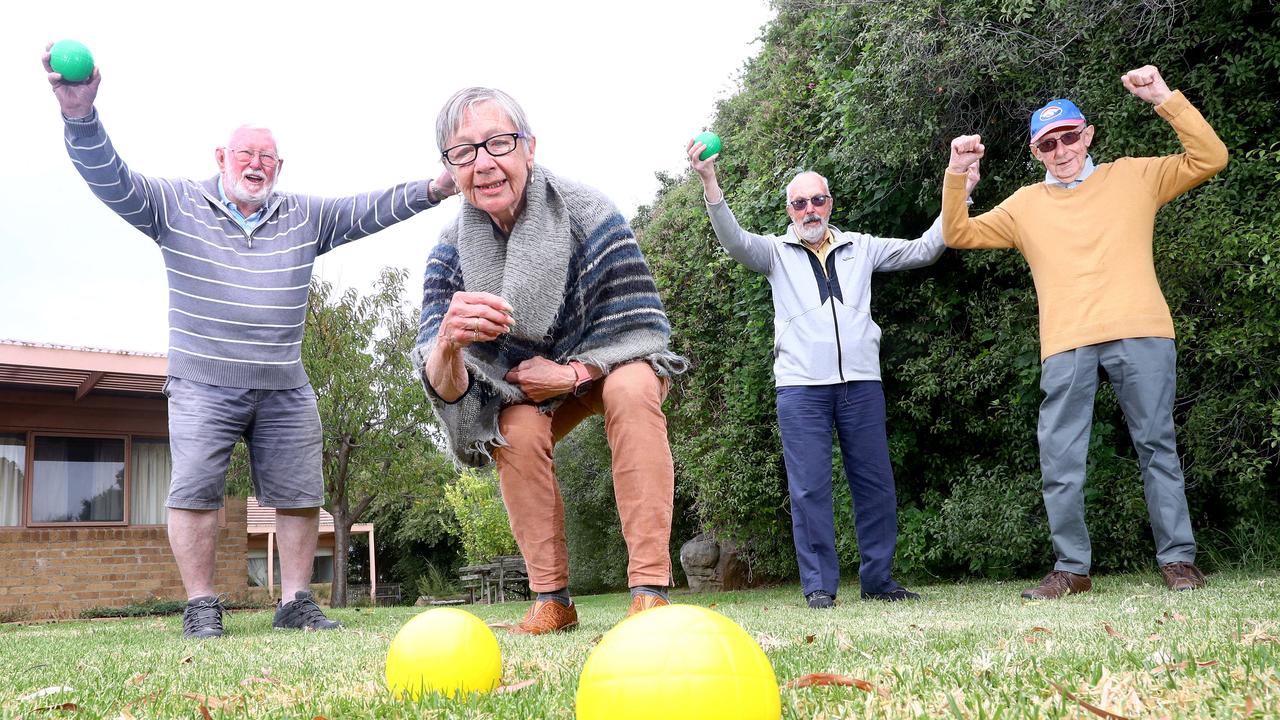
870	94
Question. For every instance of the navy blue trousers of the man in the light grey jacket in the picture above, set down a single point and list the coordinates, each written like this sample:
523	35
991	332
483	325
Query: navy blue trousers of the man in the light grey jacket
806	418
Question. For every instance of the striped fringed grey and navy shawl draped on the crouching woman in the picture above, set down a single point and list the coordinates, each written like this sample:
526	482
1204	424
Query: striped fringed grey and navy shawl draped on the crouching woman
580	289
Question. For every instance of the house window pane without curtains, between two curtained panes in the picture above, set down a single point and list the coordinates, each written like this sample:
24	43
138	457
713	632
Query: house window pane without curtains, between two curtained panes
77	480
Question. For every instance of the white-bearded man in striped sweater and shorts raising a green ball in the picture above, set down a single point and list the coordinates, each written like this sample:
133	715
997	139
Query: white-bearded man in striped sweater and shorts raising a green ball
239	258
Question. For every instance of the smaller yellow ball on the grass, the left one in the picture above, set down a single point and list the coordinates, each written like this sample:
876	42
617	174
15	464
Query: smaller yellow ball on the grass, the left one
445	651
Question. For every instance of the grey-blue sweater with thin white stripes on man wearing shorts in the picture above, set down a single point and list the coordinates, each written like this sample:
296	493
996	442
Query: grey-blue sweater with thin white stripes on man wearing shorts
237	302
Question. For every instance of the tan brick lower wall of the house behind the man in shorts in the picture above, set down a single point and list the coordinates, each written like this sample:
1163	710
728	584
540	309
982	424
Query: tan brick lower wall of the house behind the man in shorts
60	572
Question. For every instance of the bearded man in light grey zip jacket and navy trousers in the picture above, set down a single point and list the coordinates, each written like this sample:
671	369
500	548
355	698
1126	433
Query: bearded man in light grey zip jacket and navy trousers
826	367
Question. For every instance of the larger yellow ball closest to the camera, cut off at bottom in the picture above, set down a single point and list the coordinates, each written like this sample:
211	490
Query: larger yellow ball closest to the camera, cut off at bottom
674	663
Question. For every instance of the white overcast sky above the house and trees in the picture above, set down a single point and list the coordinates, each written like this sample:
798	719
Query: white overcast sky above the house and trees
614	92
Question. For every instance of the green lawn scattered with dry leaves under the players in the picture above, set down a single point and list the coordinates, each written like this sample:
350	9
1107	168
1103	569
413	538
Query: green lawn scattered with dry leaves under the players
968	650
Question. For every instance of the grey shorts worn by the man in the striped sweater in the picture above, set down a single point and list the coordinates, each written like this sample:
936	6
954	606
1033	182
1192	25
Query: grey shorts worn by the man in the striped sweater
281	429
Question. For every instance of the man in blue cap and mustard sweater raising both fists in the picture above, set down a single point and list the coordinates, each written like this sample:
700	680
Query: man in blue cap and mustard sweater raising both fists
1087	236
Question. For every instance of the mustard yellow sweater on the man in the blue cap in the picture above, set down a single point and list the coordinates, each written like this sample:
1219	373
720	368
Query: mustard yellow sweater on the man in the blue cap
1090	248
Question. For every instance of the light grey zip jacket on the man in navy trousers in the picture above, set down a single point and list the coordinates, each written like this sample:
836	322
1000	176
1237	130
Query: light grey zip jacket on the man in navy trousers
824	332
